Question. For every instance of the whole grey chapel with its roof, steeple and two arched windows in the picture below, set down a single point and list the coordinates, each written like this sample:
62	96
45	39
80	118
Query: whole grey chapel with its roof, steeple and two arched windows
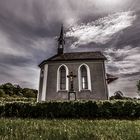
80	73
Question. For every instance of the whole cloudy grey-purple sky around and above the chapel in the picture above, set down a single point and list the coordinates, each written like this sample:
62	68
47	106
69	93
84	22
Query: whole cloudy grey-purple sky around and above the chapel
29	30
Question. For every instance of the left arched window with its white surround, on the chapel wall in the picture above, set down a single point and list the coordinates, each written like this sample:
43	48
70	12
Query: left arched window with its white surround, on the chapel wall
62	80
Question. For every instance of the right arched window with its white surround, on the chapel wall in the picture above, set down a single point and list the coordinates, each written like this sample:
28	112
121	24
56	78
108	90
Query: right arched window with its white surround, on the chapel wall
84	77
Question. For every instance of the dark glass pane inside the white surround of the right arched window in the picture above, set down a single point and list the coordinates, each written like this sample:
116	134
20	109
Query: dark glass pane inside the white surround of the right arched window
84	81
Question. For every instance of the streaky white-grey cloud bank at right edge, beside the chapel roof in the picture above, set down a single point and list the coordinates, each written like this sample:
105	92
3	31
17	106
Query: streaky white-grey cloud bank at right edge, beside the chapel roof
128	60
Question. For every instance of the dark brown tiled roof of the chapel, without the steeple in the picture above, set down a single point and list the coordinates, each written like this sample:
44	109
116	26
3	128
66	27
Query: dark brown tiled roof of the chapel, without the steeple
75	56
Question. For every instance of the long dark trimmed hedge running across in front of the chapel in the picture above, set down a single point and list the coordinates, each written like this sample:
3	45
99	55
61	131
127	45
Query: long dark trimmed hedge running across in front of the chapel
72	109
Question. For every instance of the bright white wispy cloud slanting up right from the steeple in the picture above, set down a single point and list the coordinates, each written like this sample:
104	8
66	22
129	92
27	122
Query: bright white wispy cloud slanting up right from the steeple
102	30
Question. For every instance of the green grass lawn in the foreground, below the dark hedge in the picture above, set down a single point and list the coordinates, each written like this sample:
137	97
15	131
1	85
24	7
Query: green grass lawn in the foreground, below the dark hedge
31	129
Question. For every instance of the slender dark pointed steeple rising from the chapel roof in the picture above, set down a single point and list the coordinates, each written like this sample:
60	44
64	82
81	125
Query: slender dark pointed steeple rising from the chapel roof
61	41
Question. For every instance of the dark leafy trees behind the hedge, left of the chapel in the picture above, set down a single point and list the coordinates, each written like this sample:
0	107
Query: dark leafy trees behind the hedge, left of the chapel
10	90
